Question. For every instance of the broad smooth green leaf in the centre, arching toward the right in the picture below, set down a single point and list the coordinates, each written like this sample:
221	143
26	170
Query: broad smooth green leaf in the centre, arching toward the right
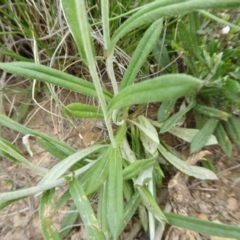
167	87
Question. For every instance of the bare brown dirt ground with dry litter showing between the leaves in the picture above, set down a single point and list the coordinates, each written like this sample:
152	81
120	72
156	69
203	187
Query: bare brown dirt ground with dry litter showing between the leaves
217	201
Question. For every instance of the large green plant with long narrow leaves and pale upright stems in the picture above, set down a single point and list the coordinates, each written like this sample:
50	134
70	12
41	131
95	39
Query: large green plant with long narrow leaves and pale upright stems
125	171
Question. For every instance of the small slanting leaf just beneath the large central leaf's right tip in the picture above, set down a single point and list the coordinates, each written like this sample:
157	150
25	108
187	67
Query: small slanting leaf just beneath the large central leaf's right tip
175	118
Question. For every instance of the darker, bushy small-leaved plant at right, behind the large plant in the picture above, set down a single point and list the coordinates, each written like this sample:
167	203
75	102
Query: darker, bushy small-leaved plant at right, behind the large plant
213	60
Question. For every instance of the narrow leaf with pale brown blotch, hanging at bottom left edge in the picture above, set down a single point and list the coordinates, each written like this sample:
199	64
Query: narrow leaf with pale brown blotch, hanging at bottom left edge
46	210
